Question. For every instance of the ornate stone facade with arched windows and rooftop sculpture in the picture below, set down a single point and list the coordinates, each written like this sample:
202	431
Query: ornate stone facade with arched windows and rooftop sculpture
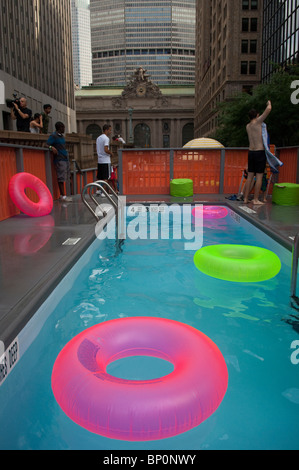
144	114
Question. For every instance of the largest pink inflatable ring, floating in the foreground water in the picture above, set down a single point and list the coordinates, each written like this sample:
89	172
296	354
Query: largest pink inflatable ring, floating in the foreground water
134	410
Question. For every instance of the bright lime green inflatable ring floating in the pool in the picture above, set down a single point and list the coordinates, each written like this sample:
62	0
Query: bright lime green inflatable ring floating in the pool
237	263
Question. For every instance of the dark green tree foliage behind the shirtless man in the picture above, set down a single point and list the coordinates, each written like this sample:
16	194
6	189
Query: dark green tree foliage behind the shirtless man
282	123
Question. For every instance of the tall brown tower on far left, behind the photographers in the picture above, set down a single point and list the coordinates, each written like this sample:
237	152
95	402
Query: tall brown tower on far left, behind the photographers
36	58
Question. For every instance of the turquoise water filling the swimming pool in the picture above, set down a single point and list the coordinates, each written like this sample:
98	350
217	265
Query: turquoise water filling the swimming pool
248	322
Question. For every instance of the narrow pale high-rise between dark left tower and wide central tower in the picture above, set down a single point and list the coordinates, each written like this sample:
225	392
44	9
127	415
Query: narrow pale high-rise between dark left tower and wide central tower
81	37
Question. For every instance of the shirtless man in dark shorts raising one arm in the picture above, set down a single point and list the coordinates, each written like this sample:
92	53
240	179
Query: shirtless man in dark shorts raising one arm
256	154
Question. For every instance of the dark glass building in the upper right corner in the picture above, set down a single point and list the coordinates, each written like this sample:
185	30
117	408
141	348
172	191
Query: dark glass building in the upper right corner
281	34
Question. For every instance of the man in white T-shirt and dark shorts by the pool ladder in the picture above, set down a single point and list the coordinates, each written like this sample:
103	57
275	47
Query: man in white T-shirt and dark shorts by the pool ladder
104	156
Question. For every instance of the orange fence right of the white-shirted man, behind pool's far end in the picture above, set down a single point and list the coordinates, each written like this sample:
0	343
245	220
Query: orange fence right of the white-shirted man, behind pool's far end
213	171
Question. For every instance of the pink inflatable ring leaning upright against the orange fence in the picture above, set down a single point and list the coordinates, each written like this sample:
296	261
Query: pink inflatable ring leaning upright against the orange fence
16	188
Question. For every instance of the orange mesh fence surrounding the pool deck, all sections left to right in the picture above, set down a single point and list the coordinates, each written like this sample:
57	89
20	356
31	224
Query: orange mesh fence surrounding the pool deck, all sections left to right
145	171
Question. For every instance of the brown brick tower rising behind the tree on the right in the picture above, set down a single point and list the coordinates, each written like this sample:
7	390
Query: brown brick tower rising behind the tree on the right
228	55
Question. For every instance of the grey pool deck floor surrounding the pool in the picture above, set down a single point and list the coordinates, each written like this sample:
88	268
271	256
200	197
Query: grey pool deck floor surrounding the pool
34	258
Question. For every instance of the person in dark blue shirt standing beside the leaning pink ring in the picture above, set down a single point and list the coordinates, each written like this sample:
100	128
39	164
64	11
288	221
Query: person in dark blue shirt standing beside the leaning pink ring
57	145
